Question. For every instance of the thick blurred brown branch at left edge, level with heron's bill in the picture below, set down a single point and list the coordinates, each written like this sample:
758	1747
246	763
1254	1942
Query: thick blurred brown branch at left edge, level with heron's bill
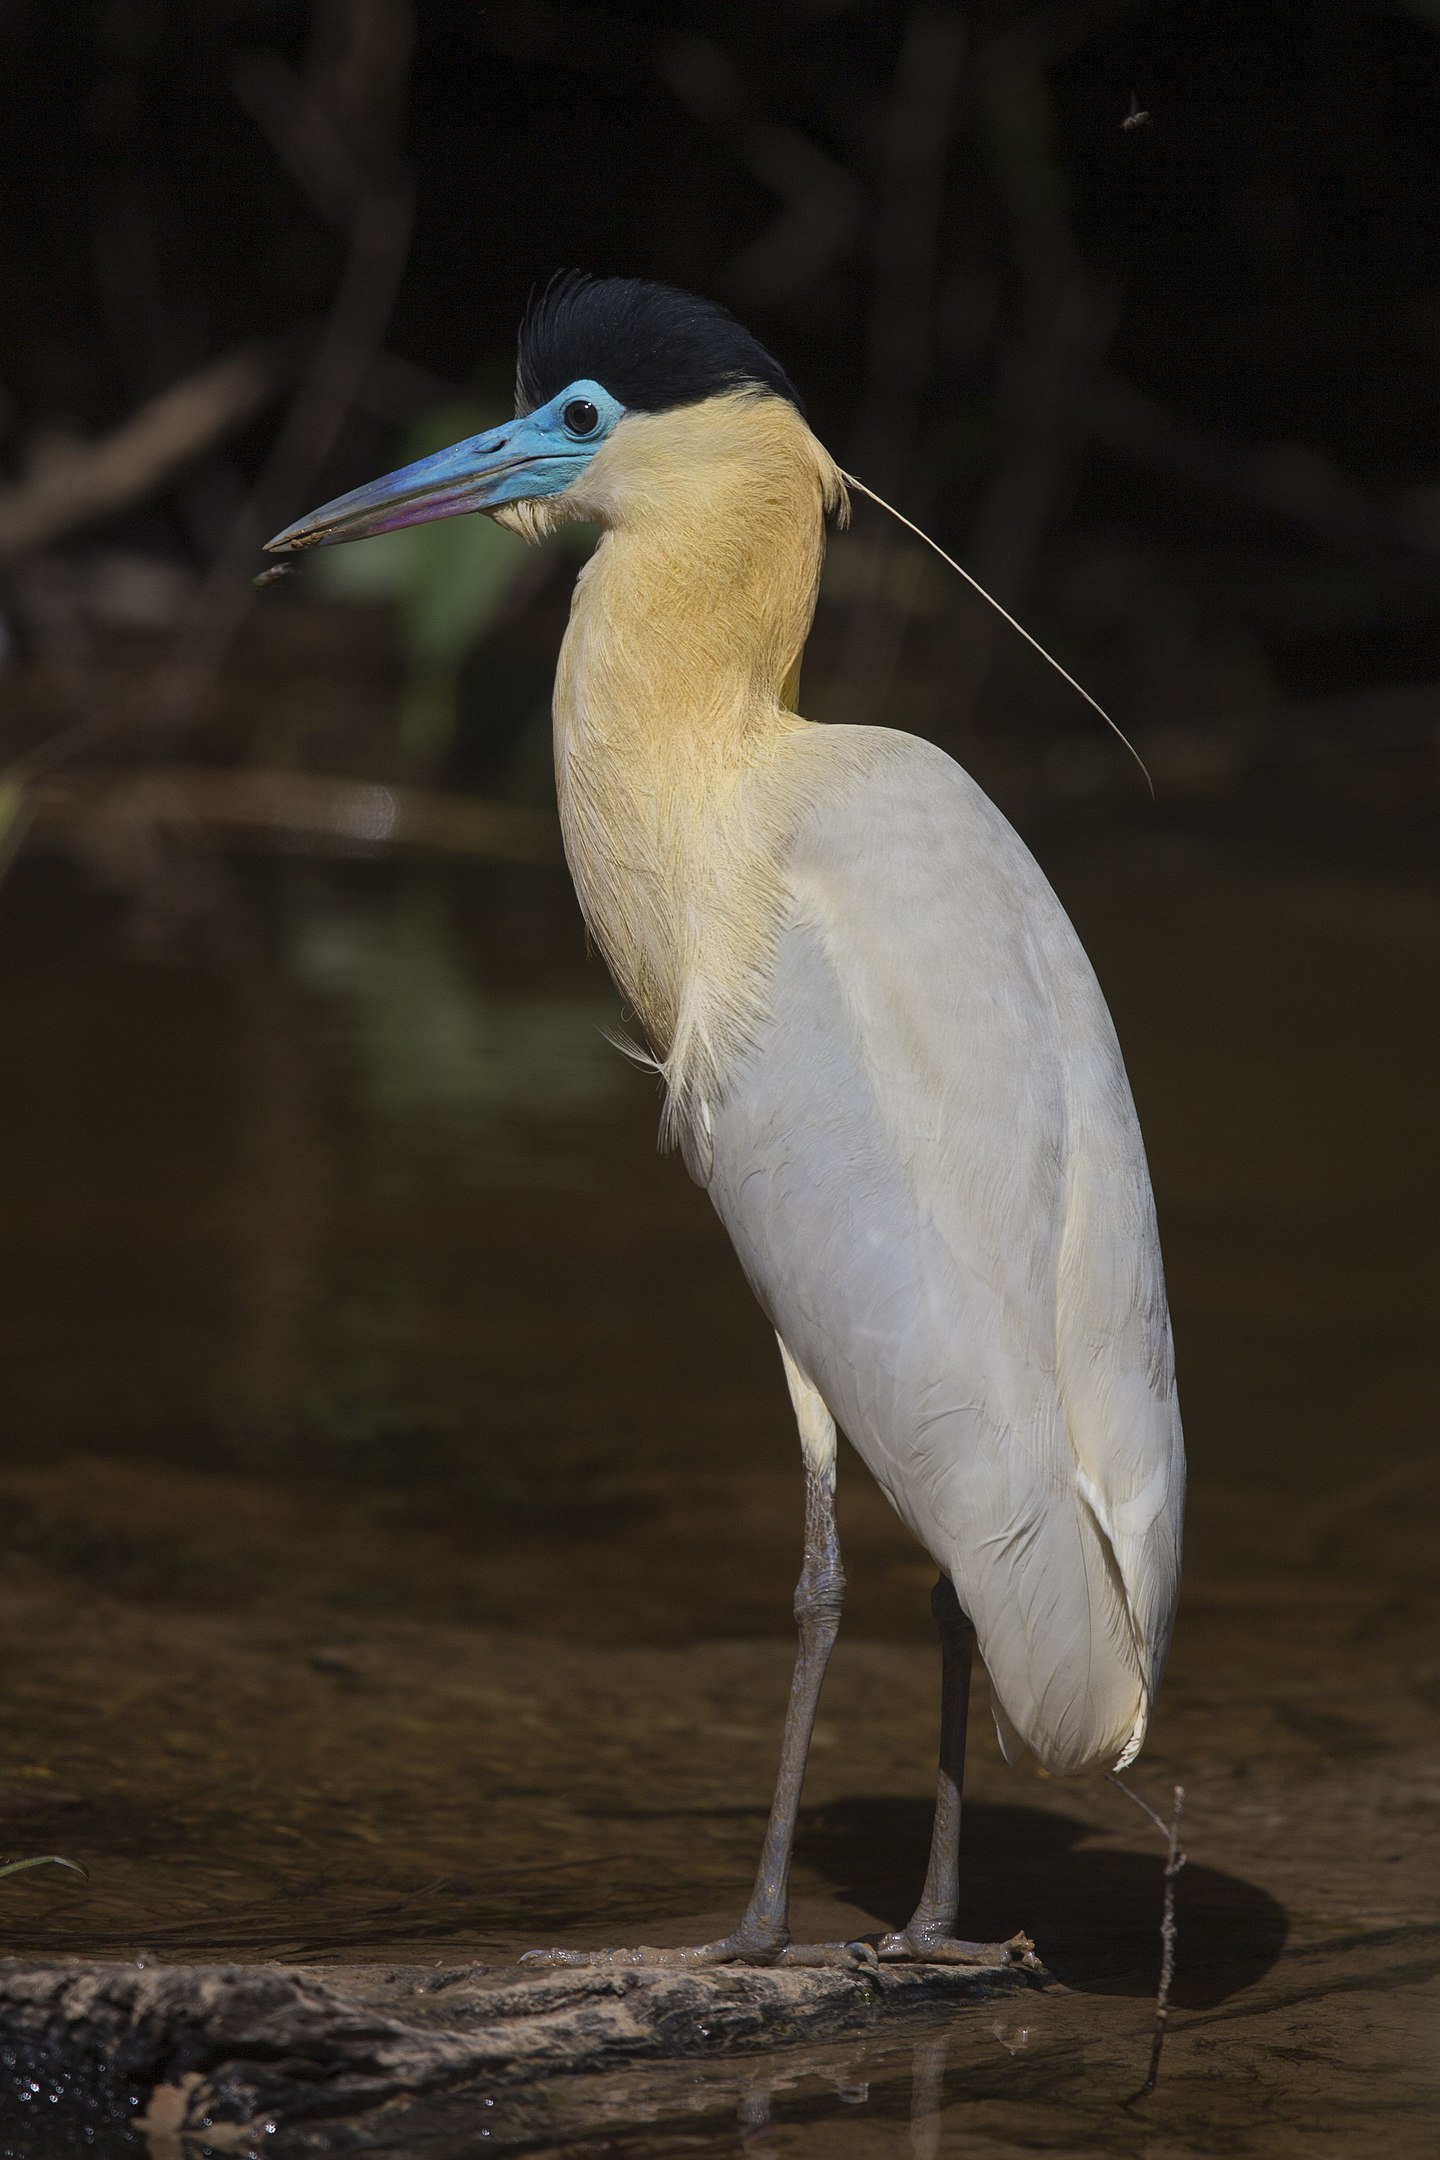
72	483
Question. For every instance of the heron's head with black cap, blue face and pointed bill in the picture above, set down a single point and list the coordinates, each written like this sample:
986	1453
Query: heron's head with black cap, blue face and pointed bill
623	392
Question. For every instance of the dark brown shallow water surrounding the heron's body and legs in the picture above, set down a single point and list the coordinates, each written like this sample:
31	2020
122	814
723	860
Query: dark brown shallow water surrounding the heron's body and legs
400	1502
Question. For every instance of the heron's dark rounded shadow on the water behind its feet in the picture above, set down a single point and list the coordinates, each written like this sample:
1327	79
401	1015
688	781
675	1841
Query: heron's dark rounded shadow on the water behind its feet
1093	1915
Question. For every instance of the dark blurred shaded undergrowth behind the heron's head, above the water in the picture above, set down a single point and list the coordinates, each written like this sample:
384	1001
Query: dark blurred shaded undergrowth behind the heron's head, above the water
1169	390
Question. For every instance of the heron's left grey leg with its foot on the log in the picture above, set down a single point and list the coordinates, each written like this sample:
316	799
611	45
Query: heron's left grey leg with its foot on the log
763	1936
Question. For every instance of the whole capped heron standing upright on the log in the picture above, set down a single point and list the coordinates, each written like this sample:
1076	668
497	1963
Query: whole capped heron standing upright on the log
886	1055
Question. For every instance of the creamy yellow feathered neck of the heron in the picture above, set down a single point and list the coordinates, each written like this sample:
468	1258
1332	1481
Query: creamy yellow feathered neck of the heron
675	705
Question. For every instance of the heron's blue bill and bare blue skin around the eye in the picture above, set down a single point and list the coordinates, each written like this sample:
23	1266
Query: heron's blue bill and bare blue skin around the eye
541	455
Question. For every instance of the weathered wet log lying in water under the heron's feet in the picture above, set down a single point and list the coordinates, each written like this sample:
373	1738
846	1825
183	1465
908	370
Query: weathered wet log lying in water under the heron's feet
228	2057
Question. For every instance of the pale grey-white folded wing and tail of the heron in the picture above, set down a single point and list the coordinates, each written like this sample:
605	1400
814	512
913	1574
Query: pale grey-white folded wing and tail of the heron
934	1176
